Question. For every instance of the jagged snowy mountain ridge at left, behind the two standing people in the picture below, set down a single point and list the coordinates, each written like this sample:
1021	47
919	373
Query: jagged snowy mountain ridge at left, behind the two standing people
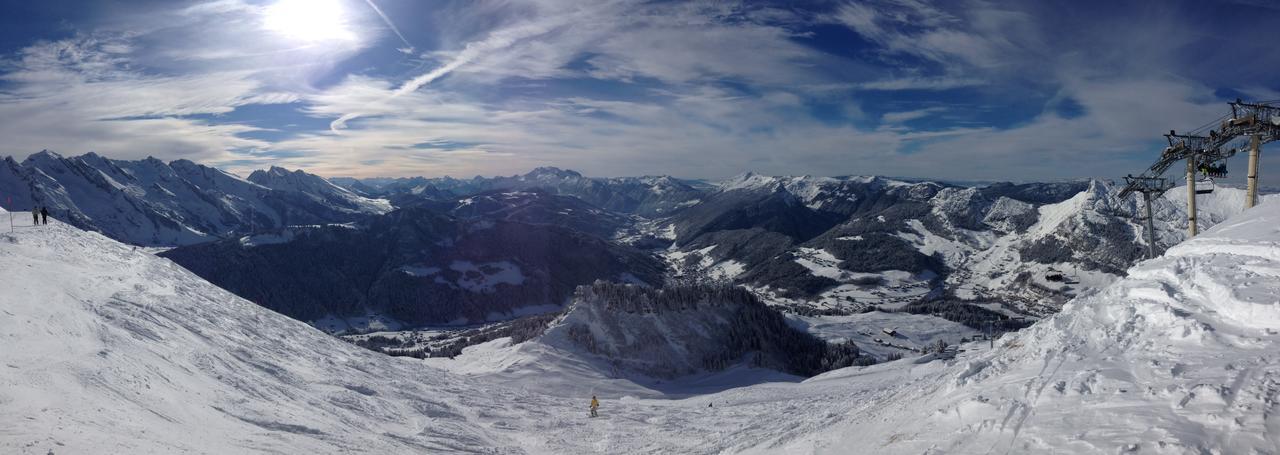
181	203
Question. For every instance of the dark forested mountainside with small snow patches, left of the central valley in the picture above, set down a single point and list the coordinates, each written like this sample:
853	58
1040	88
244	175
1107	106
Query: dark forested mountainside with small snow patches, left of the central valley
345	272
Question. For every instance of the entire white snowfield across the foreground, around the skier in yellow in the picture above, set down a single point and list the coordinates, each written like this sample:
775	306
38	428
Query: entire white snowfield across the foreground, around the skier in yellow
113	351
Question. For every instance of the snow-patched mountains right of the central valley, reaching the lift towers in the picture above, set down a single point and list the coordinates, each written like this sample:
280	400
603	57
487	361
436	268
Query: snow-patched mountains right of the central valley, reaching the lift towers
845	245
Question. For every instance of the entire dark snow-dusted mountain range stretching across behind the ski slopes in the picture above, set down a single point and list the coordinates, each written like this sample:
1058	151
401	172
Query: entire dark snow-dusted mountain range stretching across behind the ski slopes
381	254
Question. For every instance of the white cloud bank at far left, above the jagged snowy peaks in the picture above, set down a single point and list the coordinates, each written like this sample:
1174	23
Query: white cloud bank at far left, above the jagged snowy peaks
79	95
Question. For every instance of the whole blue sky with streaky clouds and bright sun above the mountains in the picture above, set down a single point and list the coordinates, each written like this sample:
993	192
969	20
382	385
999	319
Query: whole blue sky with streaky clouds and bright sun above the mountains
950	90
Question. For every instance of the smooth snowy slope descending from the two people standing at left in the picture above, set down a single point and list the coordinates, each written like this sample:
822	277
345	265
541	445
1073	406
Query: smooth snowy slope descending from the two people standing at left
111	351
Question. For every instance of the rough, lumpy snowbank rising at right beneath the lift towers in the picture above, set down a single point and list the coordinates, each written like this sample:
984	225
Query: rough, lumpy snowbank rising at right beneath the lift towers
1183	356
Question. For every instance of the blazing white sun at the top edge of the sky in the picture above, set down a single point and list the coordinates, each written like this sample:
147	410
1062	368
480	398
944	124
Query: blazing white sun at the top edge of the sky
309	21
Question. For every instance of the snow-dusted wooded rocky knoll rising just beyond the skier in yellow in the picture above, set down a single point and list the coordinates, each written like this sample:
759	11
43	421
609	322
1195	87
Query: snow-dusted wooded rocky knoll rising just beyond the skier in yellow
679	331
